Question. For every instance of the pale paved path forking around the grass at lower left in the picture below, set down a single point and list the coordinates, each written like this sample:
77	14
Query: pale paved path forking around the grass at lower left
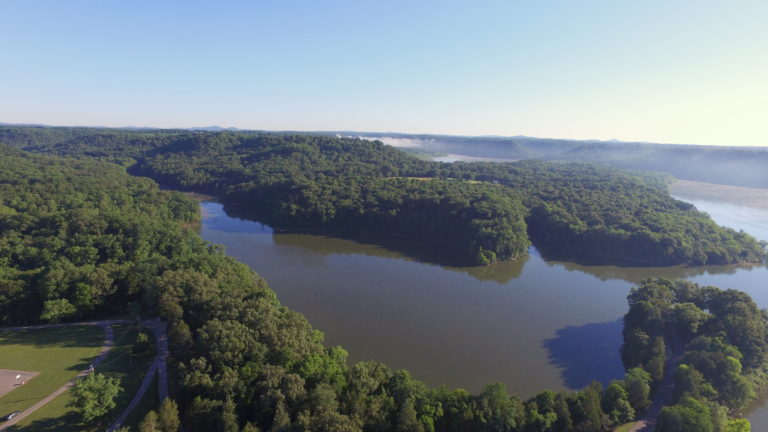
158	366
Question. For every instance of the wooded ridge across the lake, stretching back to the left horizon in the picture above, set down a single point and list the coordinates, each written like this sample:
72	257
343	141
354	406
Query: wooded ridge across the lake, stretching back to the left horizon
485	211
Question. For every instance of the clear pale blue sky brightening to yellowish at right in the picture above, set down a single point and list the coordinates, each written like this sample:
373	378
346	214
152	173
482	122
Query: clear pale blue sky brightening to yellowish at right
693	72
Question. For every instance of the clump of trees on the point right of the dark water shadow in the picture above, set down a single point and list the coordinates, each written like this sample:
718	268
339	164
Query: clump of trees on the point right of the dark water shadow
713	342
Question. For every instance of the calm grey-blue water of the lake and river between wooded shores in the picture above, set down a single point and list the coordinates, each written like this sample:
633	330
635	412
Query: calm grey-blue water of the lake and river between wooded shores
532	324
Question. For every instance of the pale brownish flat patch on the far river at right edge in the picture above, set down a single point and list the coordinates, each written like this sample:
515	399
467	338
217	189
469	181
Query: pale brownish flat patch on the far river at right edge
749	197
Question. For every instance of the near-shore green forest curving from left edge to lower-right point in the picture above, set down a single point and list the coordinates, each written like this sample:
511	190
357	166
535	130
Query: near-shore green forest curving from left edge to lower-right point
82	239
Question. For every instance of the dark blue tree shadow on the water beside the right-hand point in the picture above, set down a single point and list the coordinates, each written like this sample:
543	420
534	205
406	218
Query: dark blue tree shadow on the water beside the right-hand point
586	353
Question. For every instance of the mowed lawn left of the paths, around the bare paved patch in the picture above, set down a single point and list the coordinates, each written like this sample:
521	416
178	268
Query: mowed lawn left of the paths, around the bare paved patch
58	354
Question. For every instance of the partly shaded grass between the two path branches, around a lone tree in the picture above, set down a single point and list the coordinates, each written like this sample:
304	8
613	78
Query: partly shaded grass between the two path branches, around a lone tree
120	363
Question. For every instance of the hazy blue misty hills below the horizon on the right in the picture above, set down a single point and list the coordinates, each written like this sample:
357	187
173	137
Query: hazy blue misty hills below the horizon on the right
728	165
